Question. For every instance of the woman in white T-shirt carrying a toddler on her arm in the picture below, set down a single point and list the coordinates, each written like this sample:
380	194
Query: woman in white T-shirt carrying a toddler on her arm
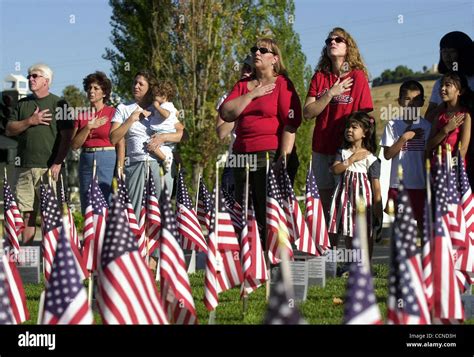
131	125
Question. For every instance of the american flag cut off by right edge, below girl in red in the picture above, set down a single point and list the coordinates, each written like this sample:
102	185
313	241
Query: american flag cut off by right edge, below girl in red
465	261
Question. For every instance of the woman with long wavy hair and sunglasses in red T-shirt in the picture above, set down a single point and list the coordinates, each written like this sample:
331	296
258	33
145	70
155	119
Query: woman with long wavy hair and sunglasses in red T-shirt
338	88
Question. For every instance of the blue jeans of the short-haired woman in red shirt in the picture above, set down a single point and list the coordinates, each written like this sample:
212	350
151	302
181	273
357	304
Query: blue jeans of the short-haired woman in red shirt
105	166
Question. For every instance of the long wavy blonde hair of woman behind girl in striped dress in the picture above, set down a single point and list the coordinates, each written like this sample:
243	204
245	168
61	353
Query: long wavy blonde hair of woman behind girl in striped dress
353	57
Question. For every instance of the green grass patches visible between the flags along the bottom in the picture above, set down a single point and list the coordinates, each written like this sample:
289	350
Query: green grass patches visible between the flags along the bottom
317	309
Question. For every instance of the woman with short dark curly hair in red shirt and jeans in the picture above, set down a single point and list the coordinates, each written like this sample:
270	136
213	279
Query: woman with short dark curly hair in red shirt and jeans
91	133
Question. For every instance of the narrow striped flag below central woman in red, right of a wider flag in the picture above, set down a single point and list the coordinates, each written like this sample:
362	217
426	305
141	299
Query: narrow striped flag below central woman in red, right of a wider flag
253	260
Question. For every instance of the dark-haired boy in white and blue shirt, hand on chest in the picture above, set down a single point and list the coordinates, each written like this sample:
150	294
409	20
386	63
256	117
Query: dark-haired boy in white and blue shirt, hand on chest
404	141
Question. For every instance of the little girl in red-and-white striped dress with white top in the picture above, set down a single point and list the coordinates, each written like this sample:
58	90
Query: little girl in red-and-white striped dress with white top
360	171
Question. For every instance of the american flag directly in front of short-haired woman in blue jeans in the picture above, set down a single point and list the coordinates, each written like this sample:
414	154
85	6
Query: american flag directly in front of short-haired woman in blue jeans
94	225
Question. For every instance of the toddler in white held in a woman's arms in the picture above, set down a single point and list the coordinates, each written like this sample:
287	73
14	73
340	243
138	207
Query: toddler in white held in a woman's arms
163	121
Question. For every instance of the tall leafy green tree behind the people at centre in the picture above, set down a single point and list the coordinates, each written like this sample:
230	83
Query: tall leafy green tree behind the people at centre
198	45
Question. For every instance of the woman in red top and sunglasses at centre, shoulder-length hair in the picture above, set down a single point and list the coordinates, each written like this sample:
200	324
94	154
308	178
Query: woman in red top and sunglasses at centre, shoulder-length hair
267	112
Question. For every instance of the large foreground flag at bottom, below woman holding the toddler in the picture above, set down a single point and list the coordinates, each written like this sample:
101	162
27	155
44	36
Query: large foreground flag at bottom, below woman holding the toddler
126	289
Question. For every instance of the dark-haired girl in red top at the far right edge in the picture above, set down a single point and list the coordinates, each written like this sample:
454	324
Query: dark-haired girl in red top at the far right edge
453	124
